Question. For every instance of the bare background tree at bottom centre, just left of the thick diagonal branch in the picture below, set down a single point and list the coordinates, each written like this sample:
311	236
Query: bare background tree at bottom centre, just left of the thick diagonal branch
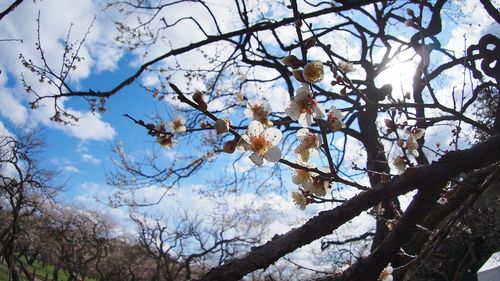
186	246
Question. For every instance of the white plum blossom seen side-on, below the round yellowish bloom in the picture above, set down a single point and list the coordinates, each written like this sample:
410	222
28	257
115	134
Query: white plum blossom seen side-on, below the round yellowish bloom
304	106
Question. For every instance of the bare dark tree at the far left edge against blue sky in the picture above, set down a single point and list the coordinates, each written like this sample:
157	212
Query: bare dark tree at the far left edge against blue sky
25	186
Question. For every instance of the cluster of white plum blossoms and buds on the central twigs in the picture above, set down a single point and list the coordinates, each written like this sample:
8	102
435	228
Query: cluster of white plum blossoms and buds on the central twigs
262	139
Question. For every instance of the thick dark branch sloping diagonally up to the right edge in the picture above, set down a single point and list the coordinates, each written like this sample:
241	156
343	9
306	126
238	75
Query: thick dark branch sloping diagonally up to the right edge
448	167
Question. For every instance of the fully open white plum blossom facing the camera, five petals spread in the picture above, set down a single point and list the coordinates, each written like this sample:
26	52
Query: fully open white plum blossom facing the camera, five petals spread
262	143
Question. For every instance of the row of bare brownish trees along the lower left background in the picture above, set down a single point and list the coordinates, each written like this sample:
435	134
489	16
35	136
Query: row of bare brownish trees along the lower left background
82	243
